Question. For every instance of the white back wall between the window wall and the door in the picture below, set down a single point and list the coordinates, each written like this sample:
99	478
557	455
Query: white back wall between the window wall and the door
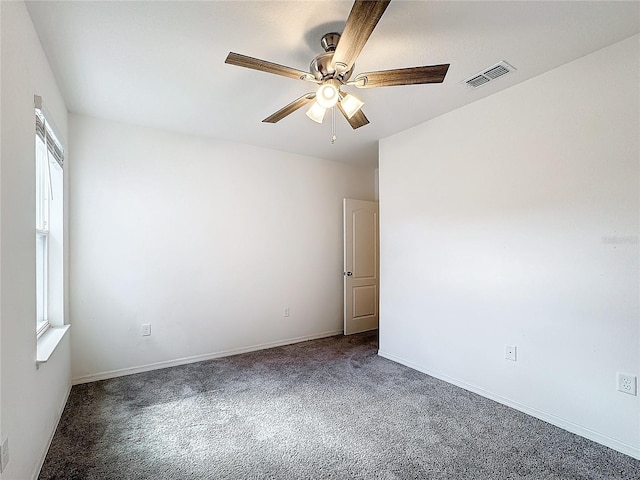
206	240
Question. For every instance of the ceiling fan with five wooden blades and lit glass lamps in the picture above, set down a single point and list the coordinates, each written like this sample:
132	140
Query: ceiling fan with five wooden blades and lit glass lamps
332	69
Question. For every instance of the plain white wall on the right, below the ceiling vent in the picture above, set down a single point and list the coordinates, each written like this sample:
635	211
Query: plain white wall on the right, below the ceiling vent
515	220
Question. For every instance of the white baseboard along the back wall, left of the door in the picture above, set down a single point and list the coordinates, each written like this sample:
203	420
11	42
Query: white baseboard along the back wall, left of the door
197	358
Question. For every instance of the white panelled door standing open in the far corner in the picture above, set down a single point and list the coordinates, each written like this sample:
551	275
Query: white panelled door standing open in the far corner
360	265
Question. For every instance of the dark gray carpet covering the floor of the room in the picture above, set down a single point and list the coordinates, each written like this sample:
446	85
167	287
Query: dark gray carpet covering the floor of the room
327	408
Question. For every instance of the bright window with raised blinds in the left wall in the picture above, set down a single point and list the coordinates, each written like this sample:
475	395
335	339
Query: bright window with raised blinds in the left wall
49	280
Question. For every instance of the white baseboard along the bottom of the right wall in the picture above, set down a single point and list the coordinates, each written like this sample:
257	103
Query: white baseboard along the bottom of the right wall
568	425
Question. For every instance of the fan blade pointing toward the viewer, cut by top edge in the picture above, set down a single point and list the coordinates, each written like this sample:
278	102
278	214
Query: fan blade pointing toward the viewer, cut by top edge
362	20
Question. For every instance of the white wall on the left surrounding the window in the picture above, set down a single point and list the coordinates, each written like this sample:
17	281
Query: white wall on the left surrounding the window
32	399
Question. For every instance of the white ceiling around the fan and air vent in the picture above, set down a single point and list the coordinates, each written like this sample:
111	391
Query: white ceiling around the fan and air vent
161	64
